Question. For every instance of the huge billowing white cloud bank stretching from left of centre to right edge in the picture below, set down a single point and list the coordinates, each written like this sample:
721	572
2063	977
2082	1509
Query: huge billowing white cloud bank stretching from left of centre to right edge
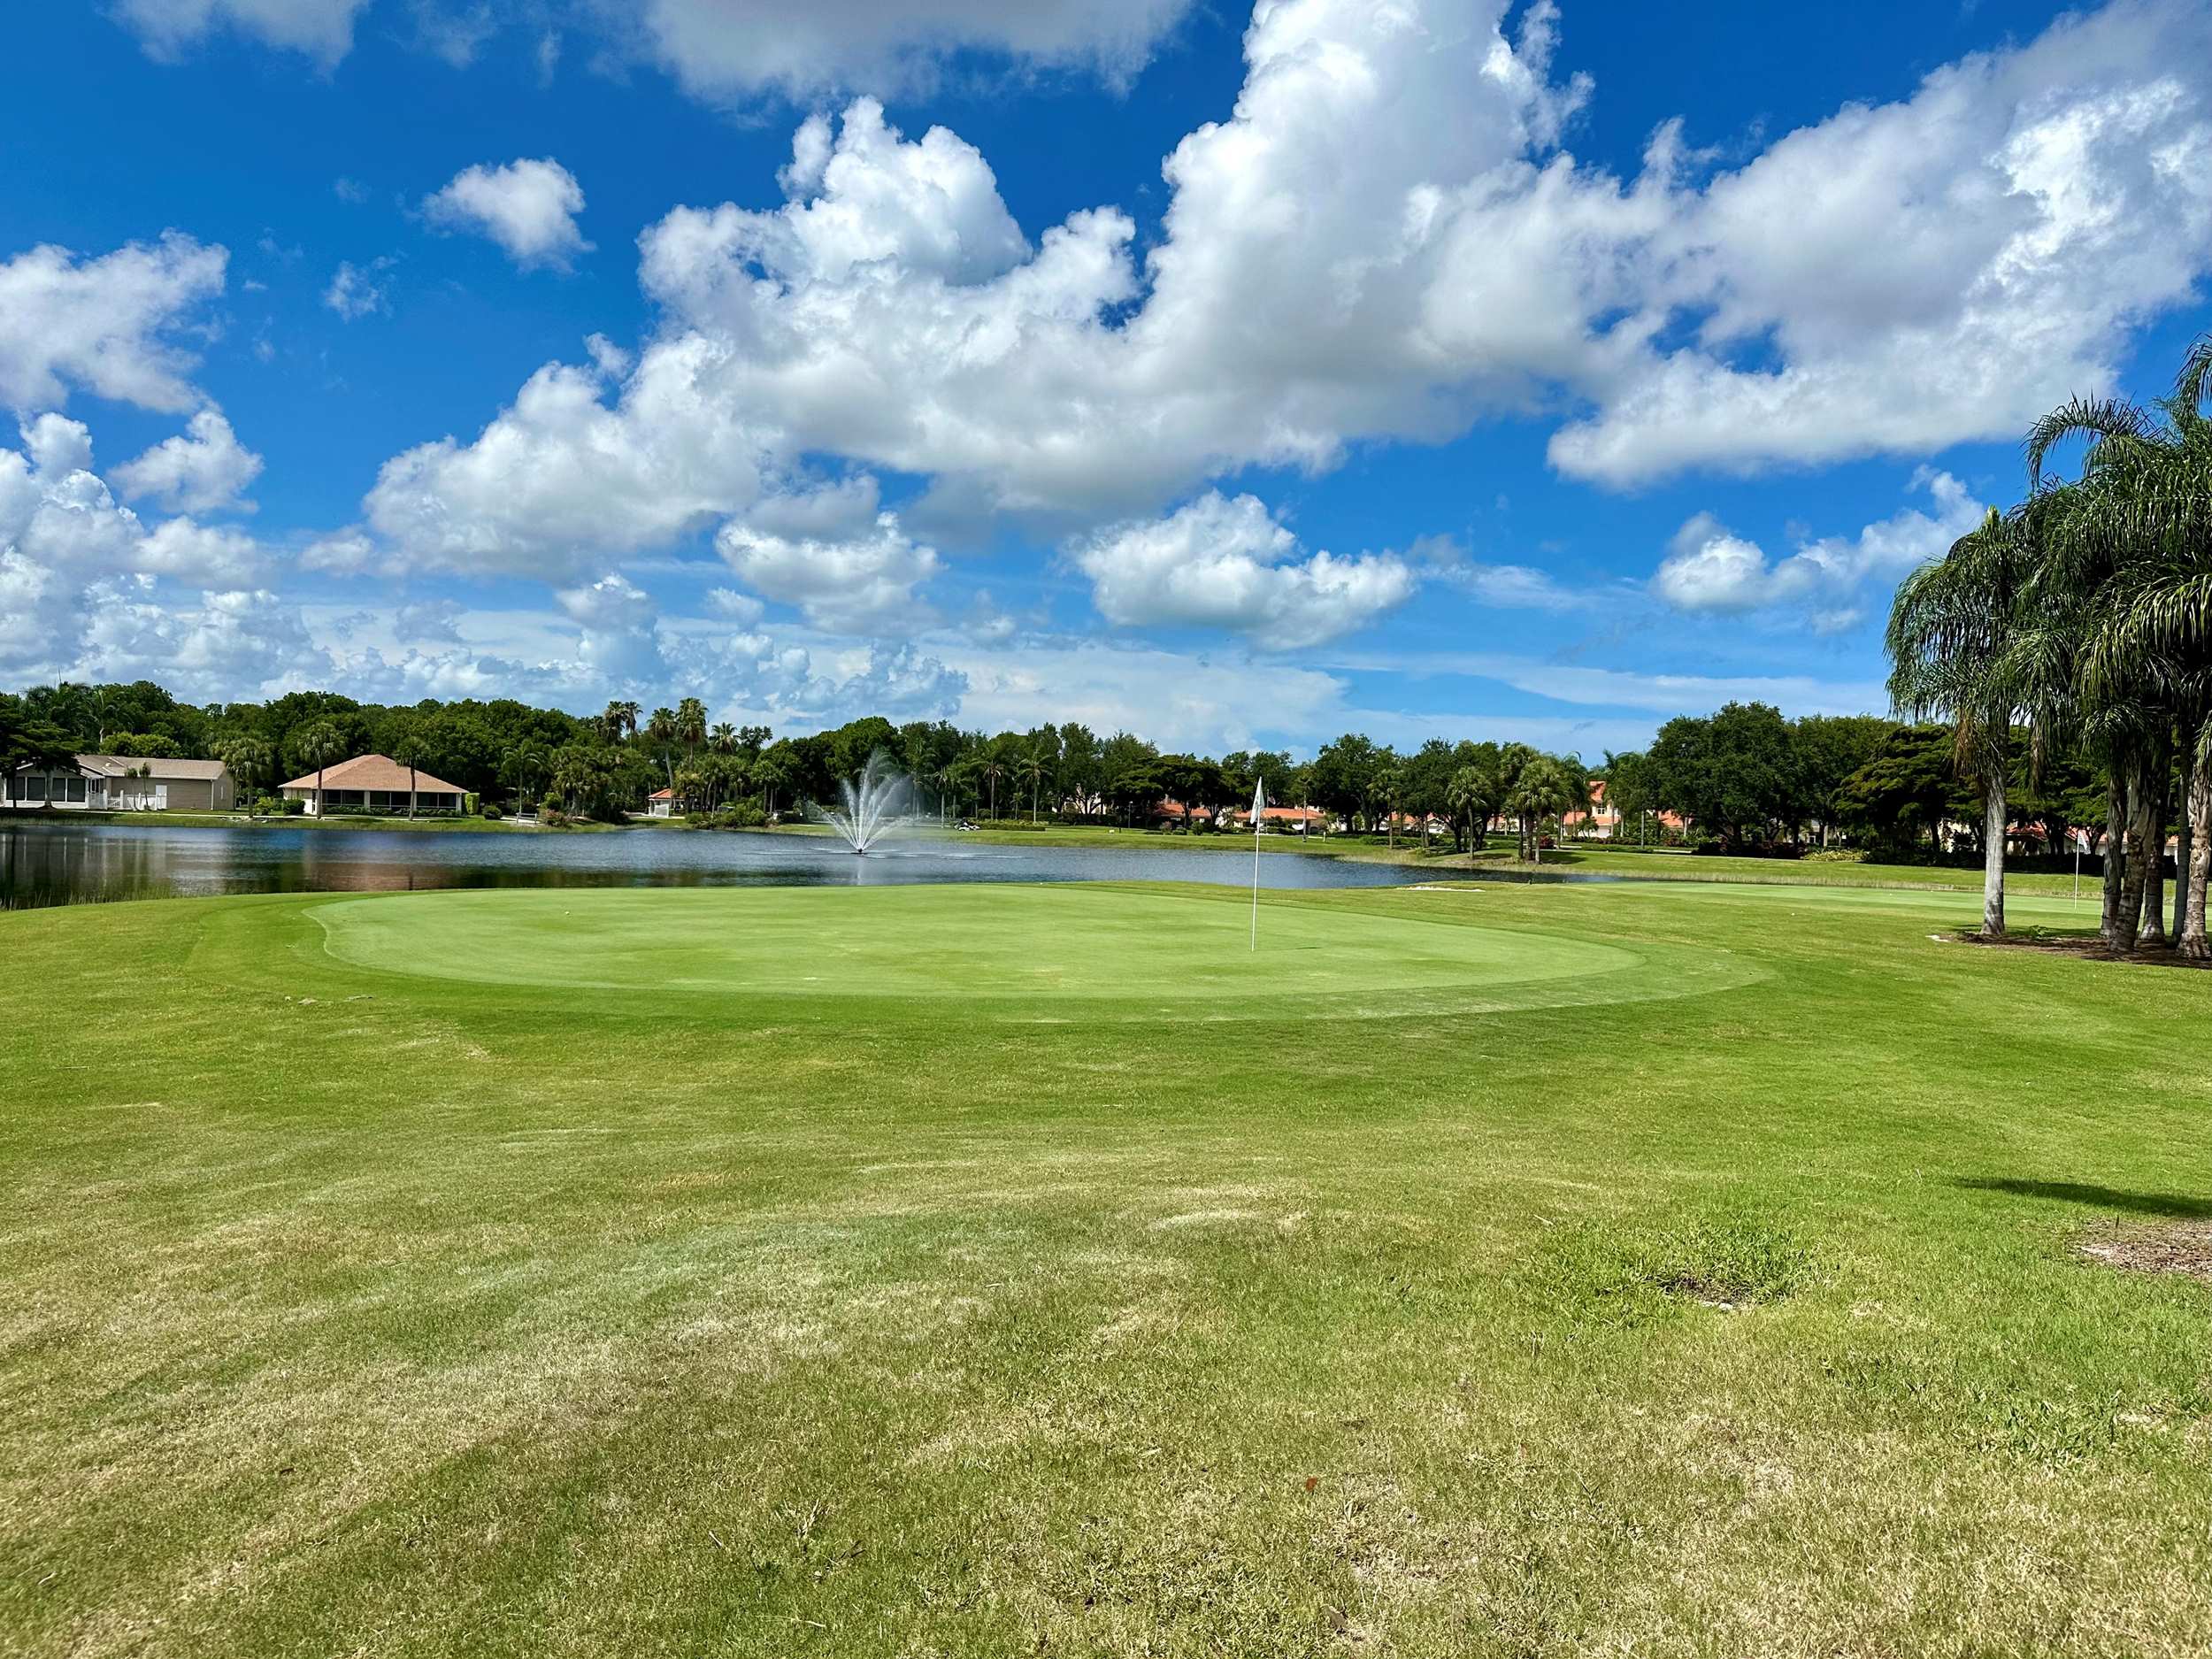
1386	242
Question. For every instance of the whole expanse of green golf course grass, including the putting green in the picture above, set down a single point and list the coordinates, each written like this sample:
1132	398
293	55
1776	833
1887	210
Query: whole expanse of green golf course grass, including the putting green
1030	1271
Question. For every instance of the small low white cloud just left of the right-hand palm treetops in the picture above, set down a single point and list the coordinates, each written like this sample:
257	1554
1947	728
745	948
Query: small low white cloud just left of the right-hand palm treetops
1722	574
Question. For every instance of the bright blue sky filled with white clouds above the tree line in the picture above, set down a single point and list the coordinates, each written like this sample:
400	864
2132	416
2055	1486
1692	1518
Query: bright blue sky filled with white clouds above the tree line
1238	377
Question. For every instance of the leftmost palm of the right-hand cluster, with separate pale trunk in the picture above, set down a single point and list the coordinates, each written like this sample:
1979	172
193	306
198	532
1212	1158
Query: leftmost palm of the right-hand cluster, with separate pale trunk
1952	658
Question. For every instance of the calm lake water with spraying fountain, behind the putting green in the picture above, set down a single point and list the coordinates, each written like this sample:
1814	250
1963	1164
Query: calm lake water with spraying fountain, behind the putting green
63	864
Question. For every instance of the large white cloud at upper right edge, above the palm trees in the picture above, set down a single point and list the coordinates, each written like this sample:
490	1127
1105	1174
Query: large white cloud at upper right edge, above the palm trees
1932	271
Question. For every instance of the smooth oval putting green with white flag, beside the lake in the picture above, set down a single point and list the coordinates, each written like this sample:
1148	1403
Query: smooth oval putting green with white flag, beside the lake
1032	946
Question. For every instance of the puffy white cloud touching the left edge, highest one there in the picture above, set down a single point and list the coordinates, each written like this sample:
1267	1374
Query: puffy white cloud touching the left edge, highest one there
103	324
